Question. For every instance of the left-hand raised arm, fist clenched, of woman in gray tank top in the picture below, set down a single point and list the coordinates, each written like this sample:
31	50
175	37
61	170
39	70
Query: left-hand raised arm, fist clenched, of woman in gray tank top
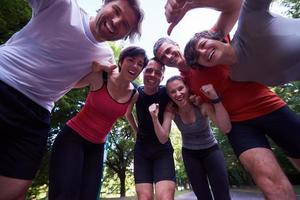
162	131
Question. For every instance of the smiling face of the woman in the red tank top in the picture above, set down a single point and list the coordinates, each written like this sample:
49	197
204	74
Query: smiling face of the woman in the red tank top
132	66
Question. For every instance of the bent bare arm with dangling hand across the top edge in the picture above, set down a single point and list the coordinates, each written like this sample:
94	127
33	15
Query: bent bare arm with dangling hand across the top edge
175	10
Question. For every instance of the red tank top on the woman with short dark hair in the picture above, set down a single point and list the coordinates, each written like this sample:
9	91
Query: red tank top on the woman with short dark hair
98	115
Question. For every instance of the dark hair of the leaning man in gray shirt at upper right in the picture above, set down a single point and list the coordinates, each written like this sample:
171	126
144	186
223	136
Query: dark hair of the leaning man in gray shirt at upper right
190	53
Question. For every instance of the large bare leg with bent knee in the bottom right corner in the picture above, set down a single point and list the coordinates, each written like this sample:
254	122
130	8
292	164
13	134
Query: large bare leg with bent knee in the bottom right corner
267	174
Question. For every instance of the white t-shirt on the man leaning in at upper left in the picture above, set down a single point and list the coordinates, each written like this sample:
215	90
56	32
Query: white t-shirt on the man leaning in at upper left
46	58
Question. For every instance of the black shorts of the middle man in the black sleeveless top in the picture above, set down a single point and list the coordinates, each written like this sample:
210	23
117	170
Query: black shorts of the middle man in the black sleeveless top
153	162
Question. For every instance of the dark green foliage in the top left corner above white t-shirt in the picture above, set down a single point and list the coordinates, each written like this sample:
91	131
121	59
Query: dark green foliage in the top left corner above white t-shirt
14	14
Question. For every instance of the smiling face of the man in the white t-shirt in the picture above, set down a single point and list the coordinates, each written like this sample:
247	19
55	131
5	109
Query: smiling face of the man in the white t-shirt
114	21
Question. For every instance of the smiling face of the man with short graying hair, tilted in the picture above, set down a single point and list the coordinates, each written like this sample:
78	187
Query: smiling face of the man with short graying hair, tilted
170	55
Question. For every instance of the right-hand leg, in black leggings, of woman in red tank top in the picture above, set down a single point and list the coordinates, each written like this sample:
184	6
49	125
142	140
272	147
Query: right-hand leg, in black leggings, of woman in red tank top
92	171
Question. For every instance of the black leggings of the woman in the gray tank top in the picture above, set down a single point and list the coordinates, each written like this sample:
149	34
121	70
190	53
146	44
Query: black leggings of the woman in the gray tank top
207	167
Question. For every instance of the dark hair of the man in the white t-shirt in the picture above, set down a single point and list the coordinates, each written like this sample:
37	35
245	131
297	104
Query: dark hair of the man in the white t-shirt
135	5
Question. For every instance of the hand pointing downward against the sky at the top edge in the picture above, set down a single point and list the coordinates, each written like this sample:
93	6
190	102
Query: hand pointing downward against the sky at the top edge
175	11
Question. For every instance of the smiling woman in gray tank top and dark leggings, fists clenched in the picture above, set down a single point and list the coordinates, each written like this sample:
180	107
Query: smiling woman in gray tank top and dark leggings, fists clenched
203	160
